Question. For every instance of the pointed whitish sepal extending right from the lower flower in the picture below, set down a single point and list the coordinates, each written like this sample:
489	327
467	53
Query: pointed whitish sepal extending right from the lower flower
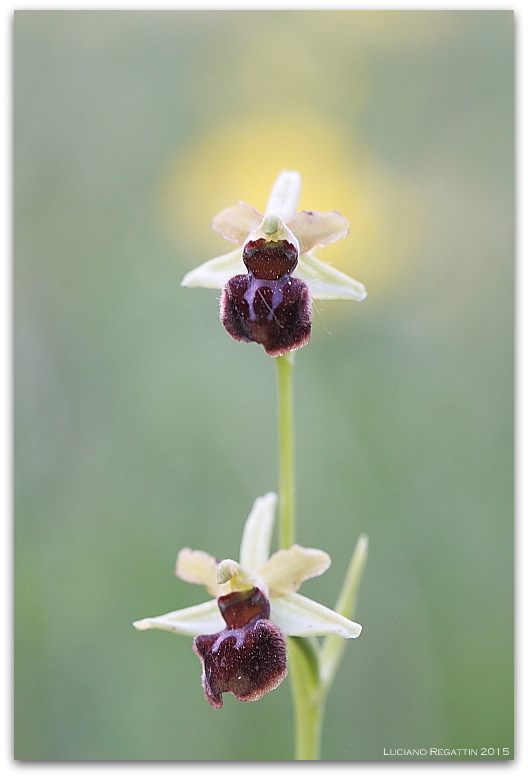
298	615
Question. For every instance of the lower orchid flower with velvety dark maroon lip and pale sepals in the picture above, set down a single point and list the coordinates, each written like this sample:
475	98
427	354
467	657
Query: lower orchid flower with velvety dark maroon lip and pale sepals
243	650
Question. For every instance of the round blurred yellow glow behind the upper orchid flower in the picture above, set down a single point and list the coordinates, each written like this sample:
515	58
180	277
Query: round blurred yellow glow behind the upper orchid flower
239	159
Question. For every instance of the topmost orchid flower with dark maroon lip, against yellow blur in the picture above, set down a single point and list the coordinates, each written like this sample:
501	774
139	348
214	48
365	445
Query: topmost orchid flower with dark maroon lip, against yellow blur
267	284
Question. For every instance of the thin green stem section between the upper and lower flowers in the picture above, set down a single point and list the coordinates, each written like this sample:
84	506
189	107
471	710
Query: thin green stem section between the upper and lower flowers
286	449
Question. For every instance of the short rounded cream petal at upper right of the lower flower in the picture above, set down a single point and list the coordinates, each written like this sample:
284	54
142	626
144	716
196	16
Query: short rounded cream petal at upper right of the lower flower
285	570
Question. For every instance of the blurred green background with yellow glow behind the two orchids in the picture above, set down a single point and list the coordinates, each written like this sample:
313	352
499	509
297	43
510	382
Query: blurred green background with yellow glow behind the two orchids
141	427
